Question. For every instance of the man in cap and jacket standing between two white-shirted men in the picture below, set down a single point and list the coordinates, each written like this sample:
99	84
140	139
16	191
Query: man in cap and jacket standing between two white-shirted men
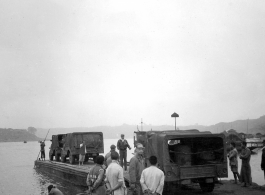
135	171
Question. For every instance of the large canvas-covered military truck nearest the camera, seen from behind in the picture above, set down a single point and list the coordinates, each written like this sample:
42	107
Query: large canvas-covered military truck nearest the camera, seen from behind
186	157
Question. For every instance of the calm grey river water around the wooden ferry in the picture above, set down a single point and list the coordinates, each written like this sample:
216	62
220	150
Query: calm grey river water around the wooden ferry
18	175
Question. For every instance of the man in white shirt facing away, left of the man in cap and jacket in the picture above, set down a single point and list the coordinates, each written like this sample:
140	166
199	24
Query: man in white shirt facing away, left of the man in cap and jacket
114	177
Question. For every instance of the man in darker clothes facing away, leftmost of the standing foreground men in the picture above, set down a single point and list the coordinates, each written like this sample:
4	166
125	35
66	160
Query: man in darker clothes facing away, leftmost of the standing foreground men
95	178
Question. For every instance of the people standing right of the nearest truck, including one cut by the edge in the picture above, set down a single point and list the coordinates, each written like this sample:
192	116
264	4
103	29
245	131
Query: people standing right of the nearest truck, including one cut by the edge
245	155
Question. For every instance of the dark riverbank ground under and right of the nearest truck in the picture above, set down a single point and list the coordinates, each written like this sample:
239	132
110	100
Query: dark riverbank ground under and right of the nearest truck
225	187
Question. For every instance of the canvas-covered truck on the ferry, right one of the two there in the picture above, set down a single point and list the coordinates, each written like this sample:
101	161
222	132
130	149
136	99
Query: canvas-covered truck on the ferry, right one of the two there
93	141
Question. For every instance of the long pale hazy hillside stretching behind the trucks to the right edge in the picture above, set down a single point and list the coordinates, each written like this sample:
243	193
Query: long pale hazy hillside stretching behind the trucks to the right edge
252	126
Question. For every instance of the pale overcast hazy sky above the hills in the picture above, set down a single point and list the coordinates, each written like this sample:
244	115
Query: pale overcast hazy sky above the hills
89	63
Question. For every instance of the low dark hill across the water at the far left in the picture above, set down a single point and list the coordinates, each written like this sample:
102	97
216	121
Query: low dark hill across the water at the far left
16	135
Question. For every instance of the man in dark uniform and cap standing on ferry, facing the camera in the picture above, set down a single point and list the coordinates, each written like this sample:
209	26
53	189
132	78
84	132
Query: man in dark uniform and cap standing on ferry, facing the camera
122	146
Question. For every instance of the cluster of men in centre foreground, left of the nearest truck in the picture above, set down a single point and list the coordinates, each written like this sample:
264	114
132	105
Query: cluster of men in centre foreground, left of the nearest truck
149	181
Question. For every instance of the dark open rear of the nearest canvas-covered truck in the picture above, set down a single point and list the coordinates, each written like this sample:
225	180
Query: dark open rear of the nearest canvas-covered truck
196	151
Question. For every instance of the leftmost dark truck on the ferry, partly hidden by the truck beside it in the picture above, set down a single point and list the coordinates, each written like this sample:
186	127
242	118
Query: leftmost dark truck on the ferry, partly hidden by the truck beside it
56	146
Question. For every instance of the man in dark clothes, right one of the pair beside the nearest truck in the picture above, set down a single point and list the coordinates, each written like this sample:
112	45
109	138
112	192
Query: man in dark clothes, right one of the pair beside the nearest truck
245	167
